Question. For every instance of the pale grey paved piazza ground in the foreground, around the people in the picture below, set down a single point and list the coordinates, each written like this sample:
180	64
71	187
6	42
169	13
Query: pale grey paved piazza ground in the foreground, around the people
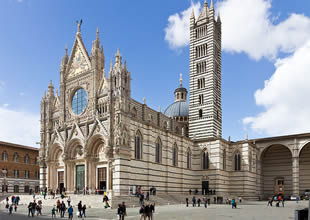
249	211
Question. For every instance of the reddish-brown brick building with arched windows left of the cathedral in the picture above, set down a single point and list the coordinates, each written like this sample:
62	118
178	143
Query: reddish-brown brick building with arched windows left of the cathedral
19	168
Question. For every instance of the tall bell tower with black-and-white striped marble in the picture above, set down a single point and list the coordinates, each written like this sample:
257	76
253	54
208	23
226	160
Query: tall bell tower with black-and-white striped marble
205	111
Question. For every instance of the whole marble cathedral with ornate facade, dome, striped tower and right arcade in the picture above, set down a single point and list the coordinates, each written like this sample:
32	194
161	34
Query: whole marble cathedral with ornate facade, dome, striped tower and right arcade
95	135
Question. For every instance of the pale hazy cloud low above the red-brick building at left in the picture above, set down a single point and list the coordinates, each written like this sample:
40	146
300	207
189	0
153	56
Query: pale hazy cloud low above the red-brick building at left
19	127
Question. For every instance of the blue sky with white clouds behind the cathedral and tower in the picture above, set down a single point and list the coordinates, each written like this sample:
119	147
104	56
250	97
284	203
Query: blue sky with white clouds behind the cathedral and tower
34	34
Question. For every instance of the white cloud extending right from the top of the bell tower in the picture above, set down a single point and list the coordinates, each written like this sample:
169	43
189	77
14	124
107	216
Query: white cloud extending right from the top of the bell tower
247	27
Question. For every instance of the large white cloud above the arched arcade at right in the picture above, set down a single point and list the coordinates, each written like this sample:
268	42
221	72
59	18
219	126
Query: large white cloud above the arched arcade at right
285	97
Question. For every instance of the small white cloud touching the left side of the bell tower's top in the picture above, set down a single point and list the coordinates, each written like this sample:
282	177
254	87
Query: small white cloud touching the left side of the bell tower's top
177	30
